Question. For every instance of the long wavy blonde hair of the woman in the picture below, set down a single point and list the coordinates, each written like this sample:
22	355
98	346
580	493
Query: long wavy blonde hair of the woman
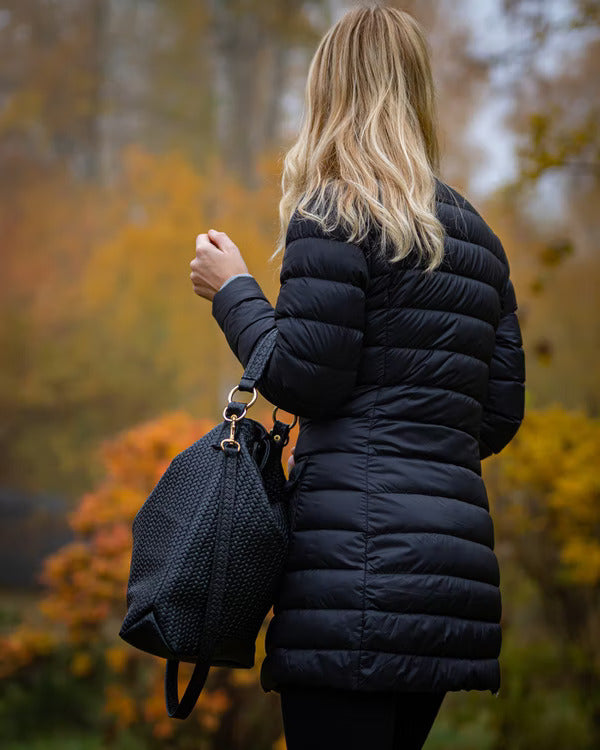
368	138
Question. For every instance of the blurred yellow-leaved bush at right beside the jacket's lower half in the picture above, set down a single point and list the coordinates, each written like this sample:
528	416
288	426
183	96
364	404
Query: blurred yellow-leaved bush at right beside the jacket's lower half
545	500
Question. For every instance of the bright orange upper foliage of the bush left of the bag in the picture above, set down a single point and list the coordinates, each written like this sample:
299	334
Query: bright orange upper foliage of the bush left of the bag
87	578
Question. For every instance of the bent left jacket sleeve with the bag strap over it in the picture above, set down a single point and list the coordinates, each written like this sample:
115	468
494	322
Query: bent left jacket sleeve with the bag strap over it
320	317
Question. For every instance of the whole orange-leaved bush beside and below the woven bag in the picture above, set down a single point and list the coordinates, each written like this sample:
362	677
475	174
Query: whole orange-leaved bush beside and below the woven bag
85	586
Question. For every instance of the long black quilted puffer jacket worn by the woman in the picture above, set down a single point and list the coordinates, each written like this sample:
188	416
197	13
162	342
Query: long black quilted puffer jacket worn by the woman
403	382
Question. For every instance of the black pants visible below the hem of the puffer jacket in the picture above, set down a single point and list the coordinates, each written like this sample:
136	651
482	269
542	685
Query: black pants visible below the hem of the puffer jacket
325	718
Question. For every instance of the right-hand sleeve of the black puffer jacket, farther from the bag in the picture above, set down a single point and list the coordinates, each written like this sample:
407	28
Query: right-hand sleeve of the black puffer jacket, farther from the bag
504	405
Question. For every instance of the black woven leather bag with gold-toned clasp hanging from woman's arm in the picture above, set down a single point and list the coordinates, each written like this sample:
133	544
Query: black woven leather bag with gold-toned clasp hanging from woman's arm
209	545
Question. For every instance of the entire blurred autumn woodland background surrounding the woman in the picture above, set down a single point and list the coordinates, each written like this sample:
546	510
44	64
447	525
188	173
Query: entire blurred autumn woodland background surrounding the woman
127	127
